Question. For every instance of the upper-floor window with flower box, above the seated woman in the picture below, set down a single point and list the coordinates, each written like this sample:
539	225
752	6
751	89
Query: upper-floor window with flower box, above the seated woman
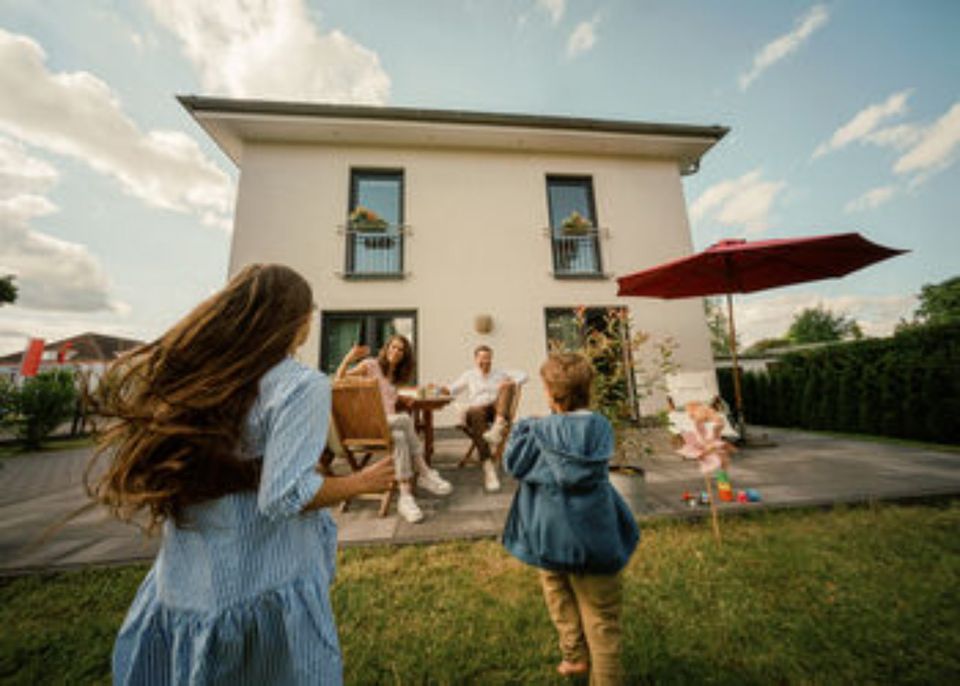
375	248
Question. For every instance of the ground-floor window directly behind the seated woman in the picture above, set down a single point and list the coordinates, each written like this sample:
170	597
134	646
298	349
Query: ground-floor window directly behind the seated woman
341	330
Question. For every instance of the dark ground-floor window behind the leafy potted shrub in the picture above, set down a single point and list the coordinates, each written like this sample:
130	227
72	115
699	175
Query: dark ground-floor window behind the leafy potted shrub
568	331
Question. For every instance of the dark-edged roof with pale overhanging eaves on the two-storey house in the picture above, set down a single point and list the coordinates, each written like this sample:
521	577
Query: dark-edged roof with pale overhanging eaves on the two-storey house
232	122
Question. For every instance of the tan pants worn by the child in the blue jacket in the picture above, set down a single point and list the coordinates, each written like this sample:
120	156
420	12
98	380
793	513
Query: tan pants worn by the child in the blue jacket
586	611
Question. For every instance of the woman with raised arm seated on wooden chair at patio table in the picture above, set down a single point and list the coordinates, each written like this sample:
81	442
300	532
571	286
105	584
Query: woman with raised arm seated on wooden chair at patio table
394	365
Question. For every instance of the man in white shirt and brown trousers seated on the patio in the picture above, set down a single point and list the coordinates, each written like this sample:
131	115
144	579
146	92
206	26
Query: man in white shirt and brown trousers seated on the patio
489	398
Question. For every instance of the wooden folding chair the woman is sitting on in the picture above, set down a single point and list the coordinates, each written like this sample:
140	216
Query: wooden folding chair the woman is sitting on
361	430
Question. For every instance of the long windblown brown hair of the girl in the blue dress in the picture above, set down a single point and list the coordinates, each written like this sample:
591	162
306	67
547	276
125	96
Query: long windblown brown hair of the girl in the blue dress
175	408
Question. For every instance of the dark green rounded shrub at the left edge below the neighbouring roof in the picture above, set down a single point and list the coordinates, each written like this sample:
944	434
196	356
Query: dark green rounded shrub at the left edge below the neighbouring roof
40	405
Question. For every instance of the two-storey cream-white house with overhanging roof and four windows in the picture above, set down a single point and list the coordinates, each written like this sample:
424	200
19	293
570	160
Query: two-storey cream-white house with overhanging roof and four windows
470	247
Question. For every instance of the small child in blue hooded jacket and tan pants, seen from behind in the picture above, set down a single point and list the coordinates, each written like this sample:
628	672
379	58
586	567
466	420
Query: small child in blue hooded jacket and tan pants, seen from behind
567	520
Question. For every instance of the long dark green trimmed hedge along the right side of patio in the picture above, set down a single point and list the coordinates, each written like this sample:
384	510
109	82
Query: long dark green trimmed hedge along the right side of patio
907	386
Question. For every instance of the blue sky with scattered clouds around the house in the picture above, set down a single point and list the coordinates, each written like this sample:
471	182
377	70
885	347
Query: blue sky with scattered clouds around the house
116	209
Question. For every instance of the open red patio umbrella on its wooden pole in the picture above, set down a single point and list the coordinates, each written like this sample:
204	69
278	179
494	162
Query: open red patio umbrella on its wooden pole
739	266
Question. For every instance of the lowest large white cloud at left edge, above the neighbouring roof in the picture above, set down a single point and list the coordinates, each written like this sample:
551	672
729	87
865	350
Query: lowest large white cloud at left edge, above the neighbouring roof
52	274
